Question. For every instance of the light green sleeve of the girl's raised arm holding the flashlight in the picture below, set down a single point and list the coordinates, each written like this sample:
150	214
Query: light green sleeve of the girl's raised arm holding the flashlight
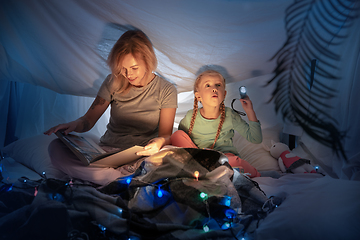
251	131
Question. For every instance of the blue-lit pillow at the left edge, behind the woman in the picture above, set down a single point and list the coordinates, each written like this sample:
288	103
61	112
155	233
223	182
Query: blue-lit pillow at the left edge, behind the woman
33	153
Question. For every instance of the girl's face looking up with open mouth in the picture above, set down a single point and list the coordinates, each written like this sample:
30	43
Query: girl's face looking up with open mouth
211	91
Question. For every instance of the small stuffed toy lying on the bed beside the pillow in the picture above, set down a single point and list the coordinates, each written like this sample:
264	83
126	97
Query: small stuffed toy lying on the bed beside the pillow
289	162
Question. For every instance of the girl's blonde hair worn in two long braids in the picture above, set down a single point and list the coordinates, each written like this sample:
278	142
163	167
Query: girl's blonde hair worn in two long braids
222	105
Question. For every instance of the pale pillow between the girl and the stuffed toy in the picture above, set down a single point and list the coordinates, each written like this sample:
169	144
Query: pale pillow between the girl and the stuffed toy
255	154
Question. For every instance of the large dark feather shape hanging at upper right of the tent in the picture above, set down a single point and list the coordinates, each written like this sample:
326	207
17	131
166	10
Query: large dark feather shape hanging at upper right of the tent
315	30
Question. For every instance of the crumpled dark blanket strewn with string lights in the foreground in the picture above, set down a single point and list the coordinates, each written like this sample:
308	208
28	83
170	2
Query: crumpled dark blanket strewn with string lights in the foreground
162	199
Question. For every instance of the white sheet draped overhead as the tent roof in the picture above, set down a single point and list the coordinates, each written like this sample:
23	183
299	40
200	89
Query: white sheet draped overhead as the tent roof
61	45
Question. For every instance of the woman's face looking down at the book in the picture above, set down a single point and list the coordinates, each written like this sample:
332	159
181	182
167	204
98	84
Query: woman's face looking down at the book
134	70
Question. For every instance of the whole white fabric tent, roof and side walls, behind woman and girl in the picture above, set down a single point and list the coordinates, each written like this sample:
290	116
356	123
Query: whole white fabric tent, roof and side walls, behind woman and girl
55	51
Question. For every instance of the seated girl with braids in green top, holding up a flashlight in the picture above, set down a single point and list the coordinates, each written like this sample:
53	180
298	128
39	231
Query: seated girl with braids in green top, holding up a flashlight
212	126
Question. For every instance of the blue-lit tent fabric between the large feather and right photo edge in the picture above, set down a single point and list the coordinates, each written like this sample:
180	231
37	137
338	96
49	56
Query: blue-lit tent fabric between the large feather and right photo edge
345	111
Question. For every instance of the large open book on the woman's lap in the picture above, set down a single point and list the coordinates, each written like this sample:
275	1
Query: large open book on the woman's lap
89	153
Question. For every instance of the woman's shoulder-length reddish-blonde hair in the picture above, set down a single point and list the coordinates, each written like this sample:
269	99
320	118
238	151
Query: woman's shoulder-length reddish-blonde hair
136	43
